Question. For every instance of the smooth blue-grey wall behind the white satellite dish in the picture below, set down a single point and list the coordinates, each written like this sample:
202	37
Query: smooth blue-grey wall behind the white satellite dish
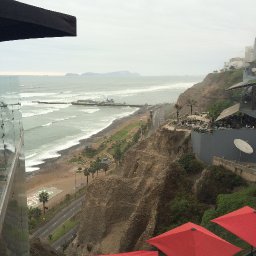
220	143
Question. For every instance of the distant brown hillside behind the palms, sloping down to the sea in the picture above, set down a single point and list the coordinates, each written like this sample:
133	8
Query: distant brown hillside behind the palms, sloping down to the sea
210	90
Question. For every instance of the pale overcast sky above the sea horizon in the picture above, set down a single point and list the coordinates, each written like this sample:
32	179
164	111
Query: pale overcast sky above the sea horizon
151	37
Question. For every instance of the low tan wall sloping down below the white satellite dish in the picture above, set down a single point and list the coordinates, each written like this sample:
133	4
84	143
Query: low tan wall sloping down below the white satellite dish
245	172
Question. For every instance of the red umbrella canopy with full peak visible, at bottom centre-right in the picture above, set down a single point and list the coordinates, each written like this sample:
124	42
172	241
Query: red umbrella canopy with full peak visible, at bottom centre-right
194	240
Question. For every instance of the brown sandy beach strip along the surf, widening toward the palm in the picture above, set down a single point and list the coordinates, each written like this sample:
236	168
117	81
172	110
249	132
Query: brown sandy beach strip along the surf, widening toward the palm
59	177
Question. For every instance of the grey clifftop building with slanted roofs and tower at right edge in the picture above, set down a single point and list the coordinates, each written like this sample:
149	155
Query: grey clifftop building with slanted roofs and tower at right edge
235	122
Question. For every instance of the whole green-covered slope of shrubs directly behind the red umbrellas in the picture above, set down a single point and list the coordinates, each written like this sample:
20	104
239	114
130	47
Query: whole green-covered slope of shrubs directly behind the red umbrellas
218	192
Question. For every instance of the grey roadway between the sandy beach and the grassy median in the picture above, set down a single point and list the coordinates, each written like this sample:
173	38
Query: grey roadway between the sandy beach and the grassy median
65	214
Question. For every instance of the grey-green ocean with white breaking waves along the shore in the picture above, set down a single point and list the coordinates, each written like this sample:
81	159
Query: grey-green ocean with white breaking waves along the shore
52	128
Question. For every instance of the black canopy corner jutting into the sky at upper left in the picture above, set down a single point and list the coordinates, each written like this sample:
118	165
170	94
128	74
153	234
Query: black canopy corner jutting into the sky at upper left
22	21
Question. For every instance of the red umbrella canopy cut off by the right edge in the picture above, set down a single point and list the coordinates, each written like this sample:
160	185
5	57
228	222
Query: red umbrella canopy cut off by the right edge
241	222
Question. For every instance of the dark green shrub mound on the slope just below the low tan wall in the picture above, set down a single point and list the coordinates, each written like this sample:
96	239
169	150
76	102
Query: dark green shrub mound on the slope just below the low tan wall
217	180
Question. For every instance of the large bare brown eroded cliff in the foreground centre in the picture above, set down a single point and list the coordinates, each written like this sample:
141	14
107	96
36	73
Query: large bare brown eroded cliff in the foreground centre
120	210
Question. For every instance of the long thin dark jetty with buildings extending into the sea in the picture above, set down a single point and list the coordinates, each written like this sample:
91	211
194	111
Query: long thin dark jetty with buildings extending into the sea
108	103
